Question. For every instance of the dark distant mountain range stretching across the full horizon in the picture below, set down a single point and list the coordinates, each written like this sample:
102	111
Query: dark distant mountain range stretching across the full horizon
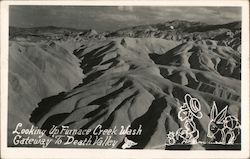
227	34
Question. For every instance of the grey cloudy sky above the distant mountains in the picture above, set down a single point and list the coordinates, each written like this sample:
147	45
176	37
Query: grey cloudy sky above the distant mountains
107	18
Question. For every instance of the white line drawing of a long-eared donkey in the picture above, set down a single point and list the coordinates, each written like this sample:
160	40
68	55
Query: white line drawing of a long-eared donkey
223	128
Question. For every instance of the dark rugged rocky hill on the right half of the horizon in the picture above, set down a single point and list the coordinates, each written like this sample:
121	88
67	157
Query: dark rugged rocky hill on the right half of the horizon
185	31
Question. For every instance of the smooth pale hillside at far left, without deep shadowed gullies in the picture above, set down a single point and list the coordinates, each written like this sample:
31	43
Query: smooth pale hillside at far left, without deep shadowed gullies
36	71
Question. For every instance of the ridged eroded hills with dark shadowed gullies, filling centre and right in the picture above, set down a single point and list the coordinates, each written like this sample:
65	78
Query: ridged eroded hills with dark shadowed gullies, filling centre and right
139	81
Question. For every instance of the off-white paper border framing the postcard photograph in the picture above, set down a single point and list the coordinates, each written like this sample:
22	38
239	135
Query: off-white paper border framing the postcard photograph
101	153
